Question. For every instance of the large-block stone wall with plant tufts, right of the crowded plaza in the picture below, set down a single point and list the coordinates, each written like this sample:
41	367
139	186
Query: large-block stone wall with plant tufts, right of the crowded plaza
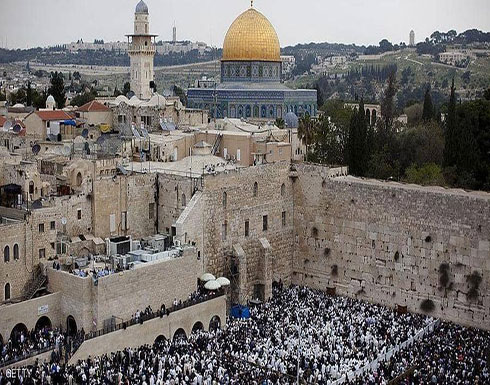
389	243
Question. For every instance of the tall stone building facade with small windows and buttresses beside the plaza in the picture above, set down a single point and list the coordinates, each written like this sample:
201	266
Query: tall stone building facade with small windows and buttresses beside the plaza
219	224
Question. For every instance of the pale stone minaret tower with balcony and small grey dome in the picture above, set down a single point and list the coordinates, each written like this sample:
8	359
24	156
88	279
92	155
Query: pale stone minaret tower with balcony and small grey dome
141	52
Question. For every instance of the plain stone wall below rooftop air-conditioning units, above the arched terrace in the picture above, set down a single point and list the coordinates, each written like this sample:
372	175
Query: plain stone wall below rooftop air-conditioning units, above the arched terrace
122	294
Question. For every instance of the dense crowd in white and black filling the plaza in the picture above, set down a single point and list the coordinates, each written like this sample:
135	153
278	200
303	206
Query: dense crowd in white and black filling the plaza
325	336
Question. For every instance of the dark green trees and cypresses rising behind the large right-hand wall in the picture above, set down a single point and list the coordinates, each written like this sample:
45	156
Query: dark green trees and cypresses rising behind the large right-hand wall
452	152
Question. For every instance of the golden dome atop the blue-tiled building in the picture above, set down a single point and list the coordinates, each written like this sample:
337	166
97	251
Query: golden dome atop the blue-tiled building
251	37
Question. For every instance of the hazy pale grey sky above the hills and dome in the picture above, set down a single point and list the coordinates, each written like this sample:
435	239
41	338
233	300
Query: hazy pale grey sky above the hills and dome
30	23
